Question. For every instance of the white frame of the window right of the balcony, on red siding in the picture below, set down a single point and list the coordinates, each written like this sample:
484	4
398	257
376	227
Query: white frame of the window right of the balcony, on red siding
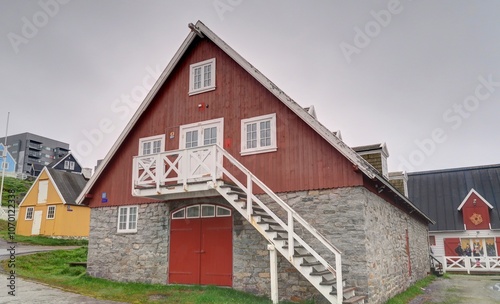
256	120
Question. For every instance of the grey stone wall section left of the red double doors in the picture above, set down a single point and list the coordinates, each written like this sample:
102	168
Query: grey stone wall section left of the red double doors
129	257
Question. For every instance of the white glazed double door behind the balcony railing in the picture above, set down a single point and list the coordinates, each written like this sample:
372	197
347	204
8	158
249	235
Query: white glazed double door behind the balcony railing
194	137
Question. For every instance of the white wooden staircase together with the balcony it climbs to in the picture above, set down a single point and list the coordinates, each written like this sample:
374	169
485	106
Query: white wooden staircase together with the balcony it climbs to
191	168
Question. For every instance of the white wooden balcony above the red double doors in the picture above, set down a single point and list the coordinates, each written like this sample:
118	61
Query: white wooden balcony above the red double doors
177	174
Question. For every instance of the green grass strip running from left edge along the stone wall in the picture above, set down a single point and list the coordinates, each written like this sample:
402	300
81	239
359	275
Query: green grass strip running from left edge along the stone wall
52	268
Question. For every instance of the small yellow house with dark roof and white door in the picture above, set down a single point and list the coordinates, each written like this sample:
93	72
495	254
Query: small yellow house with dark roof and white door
49	207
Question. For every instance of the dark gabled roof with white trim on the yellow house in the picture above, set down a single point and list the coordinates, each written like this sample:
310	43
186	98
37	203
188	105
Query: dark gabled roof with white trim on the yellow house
68	185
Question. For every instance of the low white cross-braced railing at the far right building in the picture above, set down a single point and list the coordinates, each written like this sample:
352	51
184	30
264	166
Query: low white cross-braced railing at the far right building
468	264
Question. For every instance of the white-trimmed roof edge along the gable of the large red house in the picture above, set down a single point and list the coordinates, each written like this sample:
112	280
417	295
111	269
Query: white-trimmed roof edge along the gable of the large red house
204	32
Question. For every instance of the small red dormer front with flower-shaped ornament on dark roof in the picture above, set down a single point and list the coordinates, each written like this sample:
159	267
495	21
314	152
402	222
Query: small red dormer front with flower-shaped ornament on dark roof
476	217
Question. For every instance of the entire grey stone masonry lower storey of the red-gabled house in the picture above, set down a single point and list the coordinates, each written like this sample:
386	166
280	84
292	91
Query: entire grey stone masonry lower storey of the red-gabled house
370	232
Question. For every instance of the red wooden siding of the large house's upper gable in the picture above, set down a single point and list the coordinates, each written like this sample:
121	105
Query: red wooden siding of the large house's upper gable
304	160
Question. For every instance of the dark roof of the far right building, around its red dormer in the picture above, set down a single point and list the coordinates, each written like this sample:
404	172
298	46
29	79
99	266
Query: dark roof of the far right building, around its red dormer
439	194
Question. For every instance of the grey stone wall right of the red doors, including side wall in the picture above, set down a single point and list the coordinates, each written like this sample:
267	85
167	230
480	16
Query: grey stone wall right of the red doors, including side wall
370	233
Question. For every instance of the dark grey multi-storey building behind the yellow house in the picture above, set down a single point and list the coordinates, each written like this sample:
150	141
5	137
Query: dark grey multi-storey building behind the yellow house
32	152
